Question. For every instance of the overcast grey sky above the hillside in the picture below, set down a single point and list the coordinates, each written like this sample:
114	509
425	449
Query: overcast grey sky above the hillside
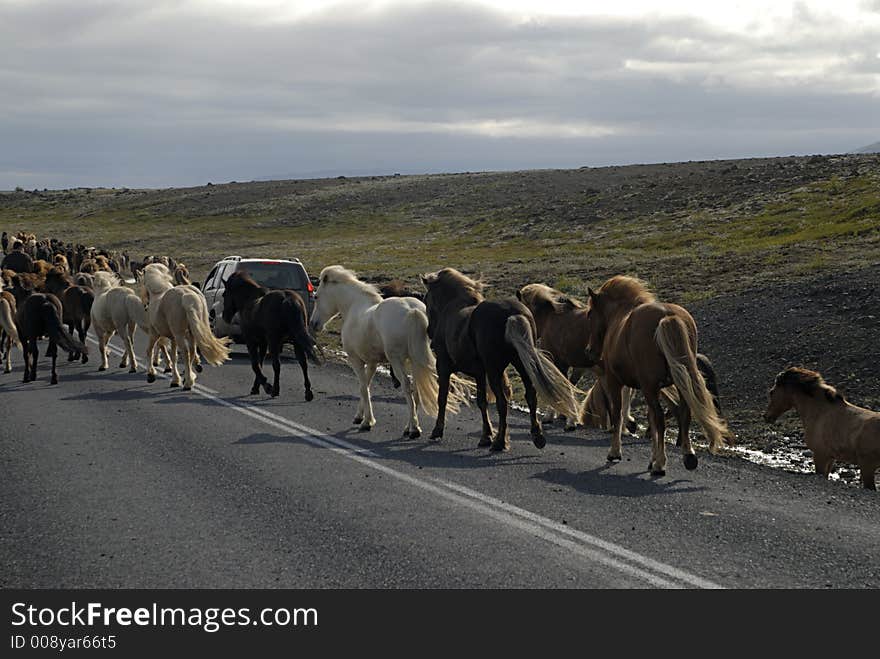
154	93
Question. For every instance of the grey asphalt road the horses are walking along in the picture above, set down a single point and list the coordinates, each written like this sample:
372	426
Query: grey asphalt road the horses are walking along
108	481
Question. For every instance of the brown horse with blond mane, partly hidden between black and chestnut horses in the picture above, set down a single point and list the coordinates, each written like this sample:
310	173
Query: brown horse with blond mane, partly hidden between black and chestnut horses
561	322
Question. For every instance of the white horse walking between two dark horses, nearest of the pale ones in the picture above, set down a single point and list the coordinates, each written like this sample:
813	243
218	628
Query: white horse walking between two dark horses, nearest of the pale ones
376	330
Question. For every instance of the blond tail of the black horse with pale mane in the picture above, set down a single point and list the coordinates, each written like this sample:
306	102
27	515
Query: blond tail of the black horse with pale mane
551	384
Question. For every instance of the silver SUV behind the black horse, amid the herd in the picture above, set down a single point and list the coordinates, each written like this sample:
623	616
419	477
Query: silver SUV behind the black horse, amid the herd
270	273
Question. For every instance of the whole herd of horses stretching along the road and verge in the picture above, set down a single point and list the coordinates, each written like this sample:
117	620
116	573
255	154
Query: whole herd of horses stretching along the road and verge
445	346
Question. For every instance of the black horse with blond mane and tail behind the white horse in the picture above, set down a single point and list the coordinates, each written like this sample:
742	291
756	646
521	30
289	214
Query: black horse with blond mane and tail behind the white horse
481	338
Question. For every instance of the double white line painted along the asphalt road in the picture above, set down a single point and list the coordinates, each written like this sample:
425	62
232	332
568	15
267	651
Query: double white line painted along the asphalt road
583	544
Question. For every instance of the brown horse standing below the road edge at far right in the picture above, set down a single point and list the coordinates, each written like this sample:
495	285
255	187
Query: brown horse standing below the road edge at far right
834	429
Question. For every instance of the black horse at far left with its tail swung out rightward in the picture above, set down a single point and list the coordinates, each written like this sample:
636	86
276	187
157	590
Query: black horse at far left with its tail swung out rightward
39	314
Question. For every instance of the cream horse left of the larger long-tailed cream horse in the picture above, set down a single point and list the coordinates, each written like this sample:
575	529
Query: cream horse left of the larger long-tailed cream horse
117	308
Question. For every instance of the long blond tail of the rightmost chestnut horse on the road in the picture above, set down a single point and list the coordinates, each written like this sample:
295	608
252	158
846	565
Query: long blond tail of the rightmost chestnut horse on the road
672	339
